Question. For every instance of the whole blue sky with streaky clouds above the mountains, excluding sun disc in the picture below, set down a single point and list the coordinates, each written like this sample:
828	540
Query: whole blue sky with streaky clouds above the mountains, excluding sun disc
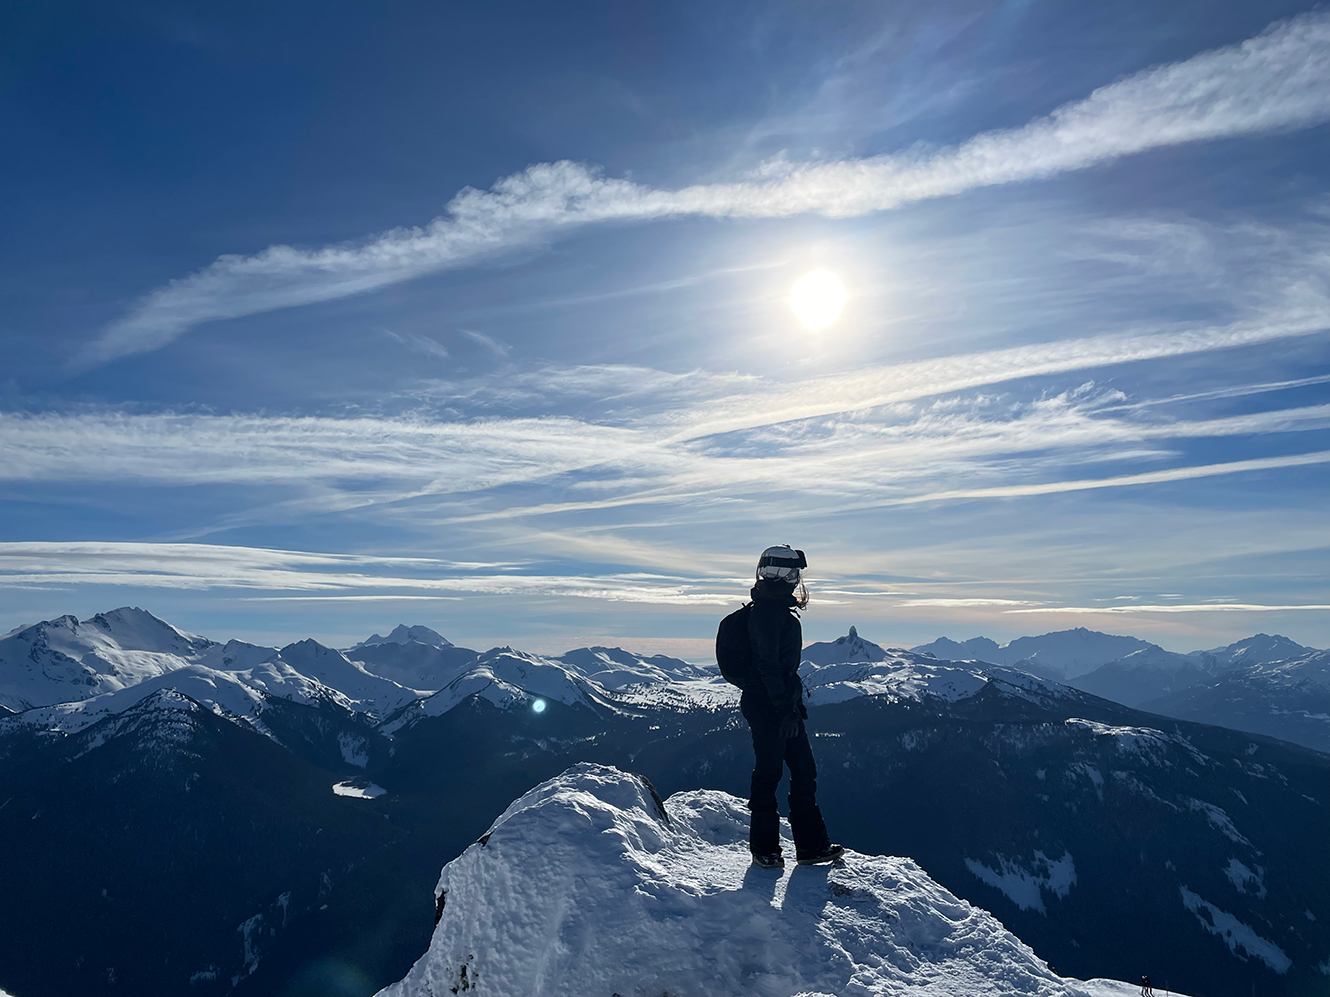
325	318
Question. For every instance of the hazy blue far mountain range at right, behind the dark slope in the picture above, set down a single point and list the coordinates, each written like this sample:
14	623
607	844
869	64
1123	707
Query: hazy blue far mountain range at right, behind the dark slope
1264	684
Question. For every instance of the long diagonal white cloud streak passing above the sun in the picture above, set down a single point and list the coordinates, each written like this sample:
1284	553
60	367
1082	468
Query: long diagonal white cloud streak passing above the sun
1277	80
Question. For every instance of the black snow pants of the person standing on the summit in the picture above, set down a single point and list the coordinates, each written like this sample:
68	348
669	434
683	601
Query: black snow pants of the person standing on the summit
772	754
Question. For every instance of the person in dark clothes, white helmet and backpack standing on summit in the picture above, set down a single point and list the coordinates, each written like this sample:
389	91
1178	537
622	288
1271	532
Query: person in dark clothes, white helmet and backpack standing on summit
768	672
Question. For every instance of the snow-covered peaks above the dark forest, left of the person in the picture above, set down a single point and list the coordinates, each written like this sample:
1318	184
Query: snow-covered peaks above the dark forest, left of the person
65	675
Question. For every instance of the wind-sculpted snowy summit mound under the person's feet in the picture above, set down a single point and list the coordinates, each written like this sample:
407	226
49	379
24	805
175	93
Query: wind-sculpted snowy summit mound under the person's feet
590	885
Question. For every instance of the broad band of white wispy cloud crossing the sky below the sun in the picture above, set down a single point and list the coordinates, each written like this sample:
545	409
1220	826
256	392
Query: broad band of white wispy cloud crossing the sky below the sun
499	471
